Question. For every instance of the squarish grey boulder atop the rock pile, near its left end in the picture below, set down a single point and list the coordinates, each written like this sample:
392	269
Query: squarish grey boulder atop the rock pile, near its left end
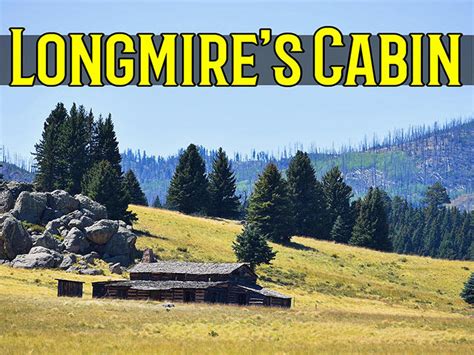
30	206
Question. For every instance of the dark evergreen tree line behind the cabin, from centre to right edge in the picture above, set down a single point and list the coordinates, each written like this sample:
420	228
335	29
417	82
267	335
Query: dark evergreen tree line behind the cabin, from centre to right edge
300	204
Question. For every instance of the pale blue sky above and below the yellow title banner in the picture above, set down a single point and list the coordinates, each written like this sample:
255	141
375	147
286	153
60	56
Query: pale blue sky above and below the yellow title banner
162	120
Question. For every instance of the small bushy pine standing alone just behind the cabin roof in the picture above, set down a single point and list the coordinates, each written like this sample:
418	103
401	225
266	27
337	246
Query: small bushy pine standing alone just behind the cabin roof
251	247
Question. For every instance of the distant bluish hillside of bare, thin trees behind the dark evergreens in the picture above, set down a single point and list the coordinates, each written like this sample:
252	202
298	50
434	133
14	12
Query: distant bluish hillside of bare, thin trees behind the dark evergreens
403	163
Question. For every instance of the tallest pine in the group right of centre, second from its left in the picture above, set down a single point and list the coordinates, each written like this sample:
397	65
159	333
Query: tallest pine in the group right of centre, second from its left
306	196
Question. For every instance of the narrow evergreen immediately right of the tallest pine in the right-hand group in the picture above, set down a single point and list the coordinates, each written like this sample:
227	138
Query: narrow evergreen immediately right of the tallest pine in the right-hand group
337	195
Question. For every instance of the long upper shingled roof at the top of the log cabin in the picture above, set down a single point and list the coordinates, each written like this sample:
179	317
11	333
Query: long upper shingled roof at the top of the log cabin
180	267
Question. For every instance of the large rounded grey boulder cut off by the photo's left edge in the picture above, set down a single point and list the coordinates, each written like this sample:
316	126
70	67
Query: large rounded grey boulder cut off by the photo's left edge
14	239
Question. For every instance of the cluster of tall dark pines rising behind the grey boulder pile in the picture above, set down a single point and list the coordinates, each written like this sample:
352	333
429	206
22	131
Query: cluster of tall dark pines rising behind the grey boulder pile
80	154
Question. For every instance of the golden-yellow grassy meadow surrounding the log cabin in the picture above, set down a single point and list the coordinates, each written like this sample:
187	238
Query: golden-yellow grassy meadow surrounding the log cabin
346	300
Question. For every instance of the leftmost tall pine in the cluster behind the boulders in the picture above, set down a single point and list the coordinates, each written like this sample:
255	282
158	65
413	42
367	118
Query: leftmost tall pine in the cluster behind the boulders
49	175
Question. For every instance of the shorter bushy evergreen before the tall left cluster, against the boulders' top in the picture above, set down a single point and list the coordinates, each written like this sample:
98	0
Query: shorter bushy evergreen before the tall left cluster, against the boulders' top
103	184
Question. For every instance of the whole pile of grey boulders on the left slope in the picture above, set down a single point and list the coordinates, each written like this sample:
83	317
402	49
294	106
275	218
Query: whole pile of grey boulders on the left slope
76	229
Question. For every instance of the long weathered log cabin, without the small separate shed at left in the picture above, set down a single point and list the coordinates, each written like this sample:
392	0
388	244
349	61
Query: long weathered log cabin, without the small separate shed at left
227	283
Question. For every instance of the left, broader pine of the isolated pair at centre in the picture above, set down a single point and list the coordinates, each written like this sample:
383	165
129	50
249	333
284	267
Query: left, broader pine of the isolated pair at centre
188	191
